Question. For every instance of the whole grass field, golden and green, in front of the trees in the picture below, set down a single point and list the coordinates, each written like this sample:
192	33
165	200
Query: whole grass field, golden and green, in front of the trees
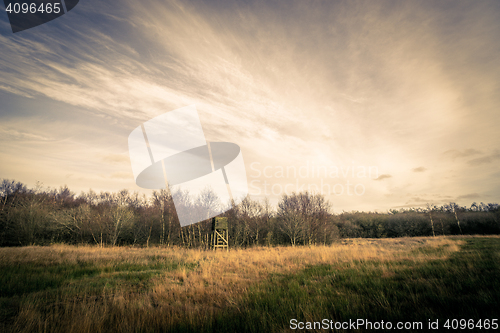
122	289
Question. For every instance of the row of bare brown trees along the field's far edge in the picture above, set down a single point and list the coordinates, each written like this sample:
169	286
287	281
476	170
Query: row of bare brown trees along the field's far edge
34	216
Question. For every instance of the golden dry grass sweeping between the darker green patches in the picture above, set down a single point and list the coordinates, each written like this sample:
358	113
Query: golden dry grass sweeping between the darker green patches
218	280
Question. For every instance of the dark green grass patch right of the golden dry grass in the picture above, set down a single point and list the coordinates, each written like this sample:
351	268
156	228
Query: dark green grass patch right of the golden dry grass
465	286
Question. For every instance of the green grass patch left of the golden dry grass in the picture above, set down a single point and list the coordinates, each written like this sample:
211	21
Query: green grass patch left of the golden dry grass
45	284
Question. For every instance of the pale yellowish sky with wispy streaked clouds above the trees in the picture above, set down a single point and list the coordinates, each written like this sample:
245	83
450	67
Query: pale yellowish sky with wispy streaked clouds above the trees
376	105
